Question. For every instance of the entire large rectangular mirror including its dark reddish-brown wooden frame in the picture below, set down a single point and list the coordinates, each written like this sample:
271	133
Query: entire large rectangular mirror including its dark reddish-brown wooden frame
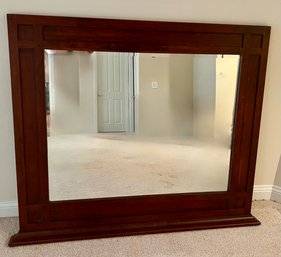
131	127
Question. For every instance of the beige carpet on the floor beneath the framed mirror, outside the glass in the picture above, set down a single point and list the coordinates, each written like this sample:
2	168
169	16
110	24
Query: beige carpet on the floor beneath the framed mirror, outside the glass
257	241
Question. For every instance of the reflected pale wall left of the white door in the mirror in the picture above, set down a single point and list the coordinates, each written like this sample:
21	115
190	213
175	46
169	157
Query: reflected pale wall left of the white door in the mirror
71	92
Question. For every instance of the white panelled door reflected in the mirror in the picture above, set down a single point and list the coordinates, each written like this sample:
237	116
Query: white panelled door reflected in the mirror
113	94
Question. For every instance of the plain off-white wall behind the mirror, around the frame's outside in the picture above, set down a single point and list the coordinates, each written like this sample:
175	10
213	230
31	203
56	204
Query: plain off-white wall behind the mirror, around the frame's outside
216	11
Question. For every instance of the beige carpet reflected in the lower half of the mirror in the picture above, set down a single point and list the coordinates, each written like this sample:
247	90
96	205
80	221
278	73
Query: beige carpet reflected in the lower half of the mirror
107	165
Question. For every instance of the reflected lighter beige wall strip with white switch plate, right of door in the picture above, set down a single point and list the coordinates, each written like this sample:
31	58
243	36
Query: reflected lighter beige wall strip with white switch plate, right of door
154	112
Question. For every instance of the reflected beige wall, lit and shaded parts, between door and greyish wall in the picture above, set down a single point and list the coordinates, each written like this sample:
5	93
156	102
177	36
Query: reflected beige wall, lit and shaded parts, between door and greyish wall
166	110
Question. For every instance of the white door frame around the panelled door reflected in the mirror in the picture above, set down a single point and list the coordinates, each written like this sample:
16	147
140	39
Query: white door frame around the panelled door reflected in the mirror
131	94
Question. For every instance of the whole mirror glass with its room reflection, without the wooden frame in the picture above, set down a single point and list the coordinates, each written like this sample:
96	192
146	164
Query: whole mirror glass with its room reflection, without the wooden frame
123	124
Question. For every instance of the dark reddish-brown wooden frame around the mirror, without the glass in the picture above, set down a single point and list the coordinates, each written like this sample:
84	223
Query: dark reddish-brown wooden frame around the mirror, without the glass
42	220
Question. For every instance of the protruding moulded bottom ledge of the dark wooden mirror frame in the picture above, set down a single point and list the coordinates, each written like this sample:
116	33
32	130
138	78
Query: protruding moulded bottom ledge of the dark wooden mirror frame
60	235
